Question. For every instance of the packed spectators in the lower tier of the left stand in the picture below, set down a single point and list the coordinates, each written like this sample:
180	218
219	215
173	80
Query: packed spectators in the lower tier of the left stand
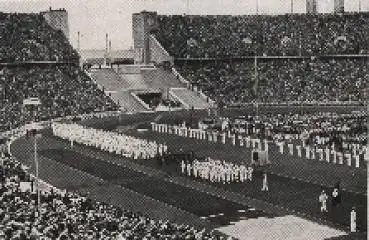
63	90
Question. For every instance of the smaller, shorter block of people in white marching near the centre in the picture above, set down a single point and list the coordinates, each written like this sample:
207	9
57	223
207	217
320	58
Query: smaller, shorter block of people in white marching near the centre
217	171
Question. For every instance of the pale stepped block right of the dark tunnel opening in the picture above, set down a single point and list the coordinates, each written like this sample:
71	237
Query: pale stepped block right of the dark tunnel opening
189	98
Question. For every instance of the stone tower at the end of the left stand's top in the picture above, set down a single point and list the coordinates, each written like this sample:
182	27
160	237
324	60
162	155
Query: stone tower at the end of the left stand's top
57	19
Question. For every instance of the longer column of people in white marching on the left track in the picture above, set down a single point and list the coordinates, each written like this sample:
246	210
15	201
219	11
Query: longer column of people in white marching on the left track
112	142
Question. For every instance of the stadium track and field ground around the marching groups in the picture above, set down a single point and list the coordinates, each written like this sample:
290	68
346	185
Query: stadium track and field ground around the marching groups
161	192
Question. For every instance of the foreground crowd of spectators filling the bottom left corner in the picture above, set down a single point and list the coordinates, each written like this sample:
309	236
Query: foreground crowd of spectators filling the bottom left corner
66	215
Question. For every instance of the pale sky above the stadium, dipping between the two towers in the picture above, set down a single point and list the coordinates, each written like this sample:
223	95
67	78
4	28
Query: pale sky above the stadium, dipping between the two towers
94	18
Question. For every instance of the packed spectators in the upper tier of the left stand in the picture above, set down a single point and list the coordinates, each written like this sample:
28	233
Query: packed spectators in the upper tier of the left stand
28	37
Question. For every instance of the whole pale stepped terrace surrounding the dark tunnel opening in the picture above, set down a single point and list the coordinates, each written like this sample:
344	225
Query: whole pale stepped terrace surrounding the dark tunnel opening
120	84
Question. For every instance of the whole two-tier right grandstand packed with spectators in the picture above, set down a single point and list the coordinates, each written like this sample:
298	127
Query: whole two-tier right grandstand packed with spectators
285	58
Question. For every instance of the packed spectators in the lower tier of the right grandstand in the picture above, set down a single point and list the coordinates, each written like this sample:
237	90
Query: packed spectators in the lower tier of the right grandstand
281	80
